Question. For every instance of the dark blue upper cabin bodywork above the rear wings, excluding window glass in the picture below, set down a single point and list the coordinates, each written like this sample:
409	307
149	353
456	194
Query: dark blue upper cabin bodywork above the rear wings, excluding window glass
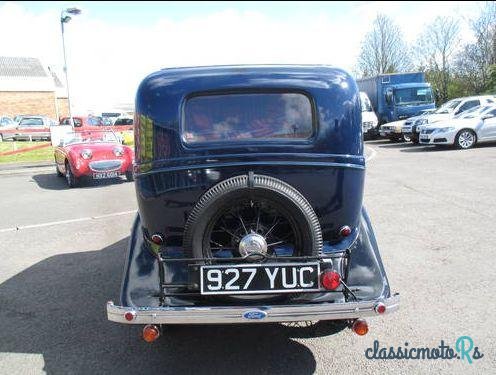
327	169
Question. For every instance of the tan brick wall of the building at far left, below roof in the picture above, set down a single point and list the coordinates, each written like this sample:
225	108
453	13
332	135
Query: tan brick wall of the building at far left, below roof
14	103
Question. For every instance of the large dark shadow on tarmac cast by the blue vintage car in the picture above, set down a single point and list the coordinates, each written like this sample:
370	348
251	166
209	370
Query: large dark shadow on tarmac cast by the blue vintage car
57	308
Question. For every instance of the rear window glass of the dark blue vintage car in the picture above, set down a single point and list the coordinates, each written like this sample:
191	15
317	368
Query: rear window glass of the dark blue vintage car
247	117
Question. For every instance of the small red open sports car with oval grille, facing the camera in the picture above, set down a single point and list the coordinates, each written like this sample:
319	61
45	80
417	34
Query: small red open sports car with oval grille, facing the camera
95	154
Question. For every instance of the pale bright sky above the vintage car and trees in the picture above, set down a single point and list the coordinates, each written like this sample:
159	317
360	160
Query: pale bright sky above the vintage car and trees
112	46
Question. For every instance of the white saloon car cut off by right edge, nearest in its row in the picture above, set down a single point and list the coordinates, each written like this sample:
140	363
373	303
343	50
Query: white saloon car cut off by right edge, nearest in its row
474	126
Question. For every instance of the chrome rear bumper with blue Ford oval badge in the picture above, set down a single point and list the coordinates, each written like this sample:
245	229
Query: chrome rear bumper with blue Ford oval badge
249	314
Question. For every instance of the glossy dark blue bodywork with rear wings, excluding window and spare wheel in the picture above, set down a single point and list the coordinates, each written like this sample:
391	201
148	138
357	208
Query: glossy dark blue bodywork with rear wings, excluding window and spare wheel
328	169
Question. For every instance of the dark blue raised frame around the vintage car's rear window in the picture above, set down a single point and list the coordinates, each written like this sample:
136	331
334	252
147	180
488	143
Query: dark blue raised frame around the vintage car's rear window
232	143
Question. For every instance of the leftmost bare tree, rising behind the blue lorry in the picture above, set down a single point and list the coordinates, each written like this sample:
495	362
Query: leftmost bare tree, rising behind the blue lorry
383	49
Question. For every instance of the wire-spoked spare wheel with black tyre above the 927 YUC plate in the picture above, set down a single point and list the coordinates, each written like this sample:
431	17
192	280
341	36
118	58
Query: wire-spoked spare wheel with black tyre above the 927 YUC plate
253	217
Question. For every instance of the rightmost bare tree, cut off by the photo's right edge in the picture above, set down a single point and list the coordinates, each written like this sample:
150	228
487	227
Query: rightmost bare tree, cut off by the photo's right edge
475	61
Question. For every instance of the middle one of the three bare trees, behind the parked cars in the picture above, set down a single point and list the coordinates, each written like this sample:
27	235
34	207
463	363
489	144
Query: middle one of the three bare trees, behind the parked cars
435	51
